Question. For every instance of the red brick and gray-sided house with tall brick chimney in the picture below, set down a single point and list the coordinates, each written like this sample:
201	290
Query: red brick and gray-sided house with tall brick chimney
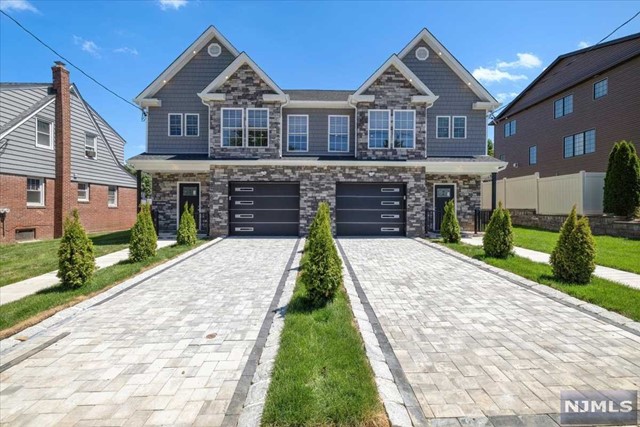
57	154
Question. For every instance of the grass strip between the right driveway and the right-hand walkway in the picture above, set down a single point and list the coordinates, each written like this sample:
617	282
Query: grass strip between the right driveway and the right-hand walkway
604	293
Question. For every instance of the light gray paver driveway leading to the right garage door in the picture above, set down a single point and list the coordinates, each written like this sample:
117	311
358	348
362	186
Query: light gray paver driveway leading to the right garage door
475	345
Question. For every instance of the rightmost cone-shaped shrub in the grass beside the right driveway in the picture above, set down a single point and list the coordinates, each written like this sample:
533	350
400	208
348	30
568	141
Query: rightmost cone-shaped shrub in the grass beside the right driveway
573	258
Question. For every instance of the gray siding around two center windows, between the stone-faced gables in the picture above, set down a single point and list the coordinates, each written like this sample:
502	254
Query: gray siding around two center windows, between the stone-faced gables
319	130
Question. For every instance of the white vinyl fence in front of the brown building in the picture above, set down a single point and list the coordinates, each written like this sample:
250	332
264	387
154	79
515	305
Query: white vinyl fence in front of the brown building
554	195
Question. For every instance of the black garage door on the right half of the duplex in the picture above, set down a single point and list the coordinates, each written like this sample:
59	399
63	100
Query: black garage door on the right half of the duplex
370	209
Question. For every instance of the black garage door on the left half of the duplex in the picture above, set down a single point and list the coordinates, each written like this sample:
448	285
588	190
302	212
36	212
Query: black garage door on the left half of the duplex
264	208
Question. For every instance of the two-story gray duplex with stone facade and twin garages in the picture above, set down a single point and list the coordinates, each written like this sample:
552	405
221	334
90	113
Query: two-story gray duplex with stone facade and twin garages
255	159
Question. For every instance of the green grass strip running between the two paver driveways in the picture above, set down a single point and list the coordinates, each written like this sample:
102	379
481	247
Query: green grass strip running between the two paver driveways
321	375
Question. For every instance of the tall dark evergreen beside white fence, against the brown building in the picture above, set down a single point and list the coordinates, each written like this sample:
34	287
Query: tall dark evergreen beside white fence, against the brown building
622	181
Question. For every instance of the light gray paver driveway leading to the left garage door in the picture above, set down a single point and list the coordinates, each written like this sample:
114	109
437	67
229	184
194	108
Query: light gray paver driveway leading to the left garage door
143	357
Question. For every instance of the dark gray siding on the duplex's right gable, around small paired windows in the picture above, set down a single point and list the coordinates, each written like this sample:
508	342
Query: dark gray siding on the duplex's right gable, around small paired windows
456	99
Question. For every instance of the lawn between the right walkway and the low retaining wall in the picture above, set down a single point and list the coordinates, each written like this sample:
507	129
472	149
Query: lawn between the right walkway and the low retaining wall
614	252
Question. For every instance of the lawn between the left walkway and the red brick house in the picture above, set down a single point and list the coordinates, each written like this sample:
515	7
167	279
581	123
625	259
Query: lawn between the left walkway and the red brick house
20	261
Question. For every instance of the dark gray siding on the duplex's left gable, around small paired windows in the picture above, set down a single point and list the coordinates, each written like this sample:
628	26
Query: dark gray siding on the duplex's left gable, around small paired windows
179	95
